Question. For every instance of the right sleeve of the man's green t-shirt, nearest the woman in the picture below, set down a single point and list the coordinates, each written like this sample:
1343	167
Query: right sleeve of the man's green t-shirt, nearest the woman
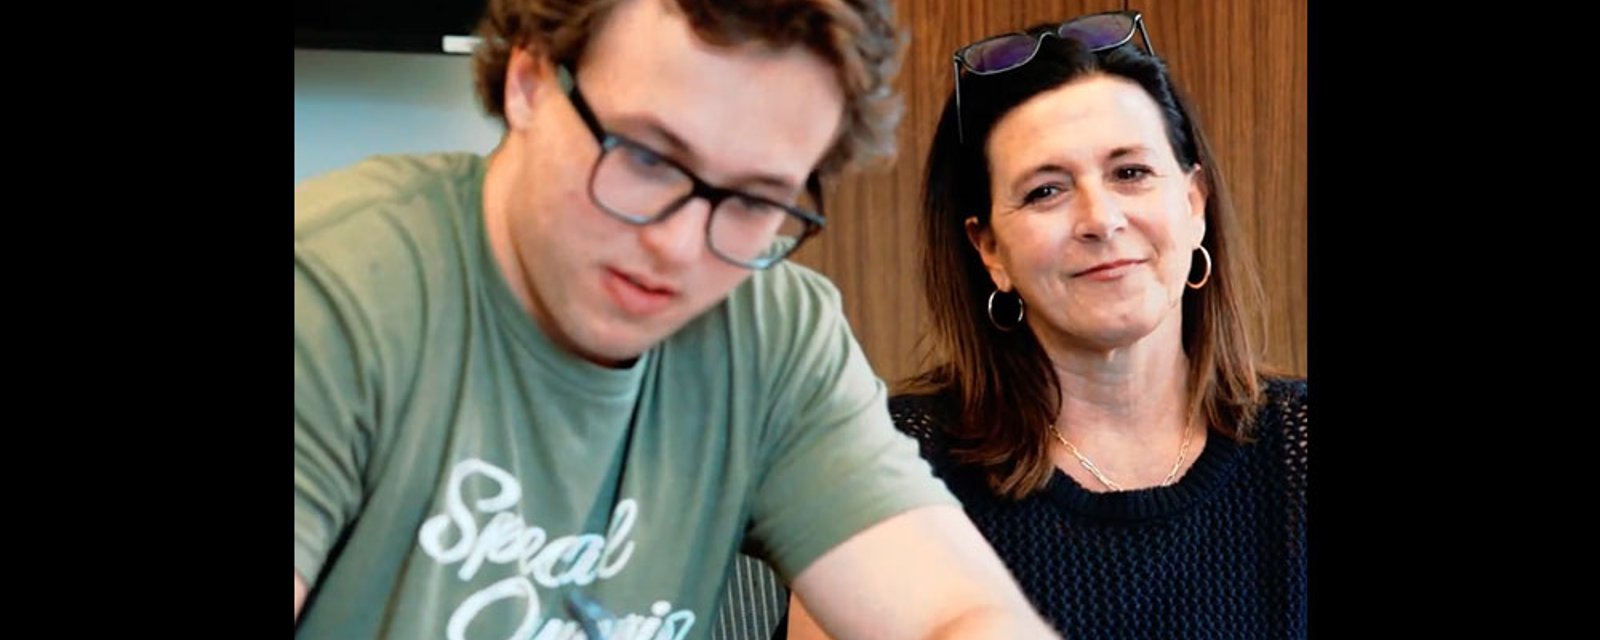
838	466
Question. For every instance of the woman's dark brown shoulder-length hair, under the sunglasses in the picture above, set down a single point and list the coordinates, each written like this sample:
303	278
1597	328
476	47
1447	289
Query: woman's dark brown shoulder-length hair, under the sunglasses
1004	382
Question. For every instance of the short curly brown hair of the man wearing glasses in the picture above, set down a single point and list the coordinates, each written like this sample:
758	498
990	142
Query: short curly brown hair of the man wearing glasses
858	38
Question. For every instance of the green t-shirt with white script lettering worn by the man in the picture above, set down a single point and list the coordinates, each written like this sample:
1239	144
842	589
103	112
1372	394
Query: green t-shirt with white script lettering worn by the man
457	473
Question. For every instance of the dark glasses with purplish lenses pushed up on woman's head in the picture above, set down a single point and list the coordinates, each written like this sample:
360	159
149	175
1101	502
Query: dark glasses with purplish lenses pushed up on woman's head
1002	54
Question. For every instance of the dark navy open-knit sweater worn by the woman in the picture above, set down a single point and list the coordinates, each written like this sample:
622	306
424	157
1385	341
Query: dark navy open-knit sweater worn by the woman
1220	554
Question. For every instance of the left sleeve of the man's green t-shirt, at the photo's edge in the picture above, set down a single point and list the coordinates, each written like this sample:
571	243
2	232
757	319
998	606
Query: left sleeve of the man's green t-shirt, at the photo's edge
332	414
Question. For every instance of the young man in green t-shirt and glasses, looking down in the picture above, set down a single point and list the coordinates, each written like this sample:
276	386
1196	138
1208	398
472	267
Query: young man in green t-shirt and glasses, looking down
558	390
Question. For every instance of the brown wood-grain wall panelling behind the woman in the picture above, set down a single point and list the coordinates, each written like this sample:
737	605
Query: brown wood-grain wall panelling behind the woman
1242	65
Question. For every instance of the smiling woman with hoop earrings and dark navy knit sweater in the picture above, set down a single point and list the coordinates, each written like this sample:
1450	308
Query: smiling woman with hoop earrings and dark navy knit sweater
1100	409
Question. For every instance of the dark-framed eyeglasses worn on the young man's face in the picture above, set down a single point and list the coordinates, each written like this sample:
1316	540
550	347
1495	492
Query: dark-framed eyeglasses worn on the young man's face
639	186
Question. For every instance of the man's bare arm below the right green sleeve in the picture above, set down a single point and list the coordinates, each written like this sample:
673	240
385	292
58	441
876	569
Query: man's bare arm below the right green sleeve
926	574
